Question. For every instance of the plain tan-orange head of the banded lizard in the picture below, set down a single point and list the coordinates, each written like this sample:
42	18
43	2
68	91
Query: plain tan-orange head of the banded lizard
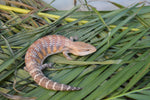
81	48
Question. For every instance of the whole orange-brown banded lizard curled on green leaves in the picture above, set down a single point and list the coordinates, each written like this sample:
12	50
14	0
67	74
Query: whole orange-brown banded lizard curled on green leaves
50	45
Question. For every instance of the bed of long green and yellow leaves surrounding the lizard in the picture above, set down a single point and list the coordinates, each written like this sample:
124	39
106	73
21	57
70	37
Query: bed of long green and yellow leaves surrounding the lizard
119	69
